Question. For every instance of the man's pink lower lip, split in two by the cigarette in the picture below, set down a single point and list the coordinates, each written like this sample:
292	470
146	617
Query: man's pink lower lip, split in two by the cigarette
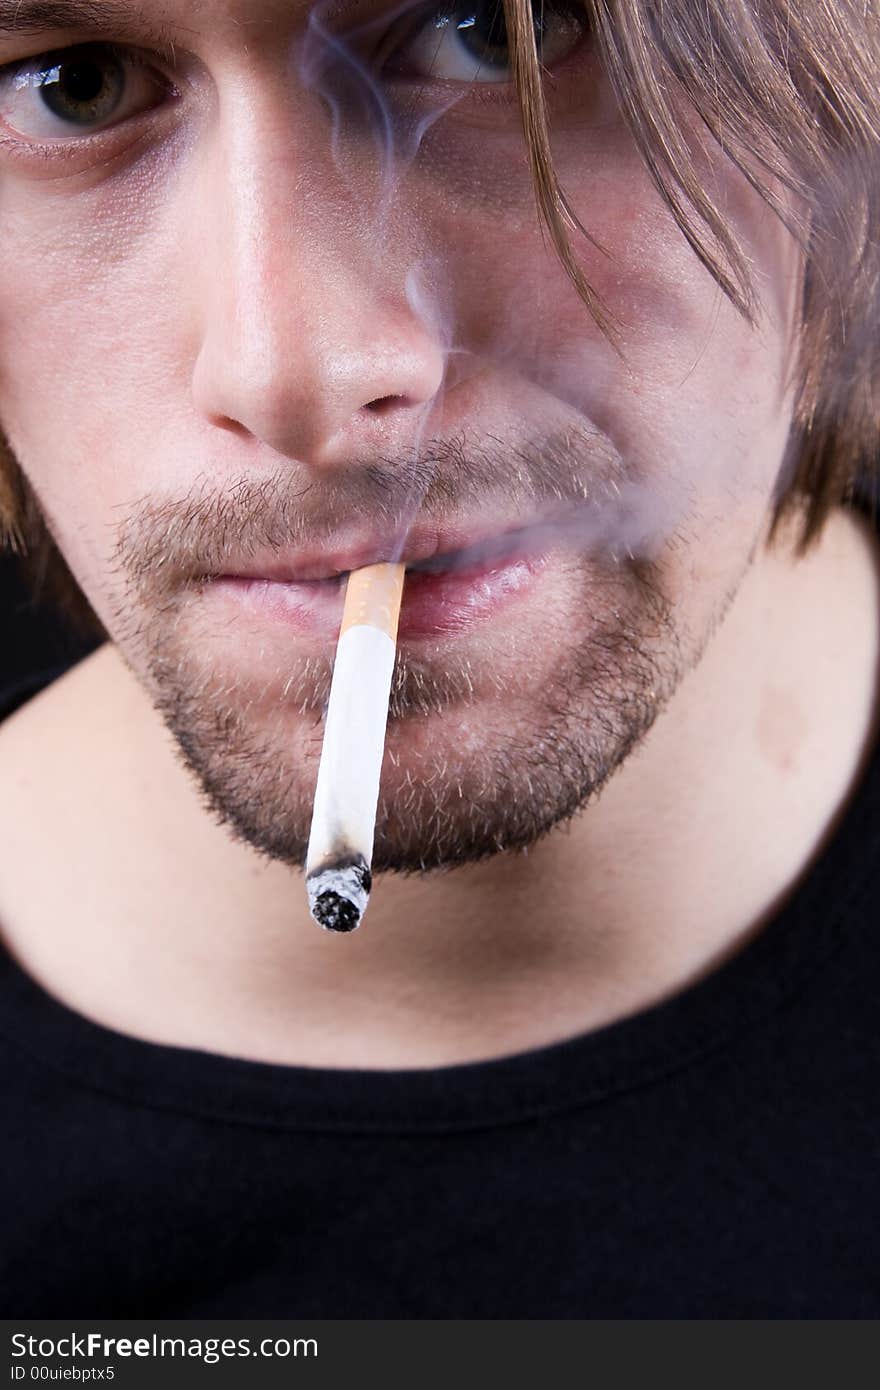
434	604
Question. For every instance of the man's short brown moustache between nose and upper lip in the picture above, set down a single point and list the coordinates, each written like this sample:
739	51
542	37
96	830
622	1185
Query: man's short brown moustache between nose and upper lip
565	491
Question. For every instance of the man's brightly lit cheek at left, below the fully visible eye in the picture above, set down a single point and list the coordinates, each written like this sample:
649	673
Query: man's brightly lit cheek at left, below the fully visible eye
88	365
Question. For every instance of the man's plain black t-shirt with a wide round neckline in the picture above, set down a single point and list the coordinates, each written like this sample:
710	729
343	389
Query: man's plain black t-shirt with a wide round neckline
717	1156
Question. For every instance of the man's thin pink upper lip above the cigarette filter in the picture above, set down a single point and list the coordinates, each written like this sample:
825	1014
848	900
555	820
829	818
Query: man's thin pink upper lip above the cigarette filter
339	558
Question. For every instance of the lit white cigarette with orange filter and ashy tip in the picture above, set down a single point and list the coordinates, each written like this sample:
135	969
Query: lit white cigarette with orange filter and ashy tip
339	874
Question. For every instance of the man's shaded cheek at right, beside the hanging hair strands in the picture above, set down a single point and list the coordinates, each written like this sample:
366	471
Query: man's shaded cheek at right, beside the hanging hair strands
696	398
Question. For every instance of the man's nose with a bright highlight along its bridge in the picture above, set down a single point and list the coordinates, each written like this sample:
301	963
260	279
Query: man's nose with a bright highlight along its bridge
307	341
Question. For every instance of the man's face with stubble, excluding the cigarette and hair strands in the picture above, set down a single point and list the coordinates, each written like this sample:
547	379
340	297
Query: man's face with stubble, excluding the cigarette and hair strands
276	302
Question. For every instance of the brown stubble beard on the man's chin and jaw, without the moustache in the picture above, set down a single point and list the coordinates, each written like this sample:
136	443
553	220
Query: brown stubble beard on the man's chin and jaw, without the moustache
478	761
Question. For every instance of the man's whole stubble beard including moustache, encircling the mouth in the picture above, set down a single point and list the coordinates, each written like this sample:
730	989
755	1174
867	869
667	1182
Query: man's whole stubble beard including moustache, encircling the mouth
483	754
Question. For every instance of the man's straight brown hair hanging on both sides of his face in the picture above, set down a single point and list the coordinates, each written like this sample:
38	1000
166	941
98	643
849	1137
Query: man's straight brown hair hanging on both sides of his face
792	94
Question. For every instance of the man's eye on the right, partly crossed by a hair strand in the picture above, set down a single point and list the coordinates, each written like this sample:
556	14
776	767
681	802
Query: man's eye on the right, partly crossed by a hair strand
468	42
